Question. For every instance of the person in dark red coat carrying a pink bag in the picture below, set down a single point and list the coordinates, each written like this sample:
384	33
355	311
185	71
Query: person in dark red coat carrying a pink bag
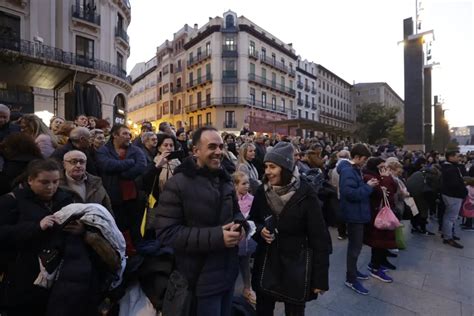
380	240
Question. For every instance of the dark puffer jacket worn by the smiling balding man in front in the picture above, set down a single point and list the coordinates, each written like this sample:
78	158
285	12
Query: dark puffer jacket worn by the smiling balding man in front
192	209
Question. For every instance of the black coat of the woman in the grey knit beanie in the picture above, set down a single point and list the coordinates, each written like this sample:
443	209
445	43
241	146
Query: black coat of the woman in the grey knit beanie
300	219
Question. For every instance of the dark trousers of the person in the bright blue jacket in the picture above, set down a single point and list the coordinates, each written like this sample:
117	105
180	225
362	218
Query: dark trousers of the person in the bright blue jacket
355	234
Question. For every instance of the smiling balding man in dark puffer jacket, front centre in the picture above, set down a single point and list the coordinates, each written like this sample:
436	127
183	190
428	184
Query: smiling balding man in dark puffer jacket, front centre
196	216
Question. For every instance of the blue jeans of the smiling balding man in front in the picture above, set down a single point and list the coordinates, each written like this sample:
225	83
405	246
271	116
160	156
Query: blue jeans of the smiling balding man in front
216	305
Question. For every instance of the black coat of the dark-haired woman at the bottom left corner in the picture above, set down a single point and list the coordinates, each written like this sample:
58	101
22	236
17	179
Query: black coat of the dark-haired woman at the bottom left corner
21	239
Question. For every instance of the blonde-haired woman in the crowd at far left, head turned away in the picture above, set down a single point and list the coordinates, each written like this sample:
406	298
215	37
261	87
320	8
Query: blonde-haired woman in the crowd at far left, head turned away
32	125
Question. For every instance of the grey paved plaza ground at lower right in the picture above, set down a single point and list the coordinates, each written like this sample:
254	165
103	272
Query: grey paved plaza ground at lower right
431	279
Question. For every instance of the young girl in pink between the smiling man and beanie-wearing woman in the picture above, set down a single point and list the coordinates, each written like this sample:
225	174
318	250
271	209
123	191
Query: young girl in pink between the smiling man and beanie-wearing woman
246	246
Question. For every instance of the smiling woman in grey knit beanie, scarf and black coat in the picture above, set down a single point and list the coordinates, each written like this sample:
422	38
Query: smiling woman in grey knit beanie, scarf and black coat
292	256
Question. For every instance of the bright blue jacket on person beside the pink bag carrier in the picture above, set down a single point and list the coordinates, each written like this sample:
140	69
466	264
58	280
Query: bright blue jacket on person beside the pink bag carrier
354	194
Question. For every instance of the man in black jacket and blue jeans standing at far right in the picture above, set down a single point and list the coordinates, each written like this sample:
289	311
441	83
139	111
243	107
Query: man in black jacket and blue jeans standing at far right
453	191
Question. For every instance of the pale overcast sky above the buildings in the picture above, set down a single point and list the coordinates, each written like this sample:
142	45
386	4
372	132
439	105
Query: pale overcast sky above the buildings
357	40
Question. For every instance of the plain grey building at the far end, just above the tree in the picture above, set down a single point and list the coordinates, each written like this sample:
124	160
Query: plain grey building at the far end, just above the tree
380	93
